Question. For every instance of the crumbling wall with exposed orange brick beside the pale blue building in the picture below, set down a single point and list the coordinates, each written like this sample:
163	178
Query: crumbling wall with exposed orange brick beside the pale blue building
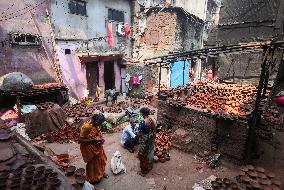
170	29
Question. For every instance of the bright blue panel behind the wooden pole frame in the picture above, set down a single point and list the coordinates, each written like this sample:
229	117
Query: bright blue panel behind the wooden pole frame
179	73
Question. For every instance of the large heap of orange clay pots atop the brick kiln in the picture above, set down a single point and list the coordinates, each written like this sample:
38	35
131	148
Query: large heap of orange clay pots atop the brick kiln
222	99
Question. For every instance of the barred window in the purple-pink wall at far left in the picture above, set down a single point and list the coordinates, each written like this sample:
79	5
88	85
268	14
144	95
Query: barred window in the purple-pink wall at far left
24	39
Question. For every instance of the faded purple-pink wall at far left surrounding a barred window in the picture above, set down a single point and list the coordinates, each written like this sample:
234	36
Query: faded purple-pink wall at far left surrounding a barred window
27	16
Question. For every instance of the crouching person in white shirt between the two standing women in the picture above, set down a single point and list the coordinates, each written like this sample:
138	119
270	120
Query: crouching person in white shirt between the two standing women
129	136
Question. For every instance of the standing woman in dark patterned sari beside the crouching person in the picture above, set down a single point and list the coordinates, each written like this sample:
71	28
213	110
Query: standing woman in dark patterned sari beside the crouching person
147	130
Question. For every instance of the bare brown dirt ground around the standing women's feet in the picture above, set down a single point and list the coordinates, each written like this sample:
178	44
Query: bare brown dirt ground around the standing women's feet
178	173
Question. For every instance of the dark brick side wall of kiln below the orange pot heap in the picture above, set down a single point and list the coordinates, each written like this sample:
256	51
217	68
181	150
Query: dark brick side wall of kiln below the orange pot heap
196	130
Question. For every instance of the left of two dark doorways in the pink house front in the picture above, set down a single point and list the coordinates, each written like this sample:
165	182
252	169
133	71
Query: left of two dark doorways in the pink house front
92	75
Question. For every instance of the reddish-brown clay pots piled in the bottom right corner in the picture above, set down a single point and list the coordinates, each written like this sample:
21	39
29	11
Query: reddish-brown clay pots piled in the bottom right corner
257	178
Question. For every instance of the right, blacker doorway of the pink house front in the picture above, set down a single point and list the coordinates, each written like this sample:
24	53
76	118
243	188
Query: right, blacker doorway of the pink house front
109	75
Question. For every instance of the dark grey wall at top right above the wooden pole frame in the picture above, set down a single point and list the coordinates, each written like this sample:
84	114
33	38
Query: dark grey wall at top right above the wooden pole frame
244	21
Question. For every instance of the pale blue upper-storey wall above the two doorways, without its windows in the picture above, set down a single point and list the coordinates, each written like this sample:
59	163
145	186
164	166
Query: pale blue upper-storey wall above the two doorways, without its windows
75	27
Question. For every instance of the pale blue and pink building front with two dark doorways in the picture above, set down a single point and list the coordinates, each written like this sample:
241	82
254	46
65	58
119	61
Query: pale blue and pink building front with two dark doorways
92	37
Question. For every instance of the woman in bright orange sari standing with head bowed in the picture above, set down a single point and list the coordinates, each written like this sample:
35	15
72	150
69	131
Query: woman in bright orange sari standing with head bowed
91	146
